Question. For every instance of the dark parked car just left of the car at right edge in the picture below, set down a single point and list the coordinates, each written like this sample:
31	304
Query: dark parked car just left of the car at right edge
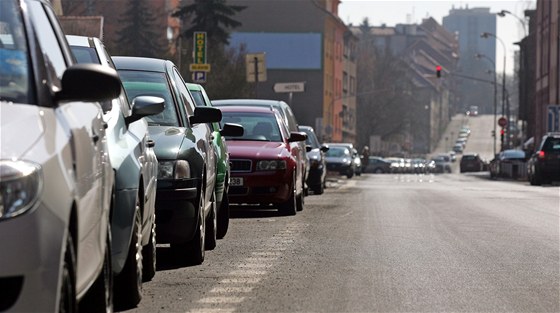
509	163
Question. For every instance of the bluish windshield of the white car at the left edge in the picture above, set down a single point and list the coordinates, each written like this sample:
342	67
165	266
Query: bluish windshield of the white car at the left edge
14	66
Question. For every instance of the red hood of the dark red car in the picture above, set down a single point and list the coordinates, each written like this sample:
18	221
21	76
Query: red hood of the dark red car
255	149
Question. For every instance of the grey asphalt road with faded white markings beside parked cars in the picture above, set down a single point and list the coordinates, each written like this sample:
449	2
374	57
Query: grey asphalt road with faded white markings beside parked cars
381	243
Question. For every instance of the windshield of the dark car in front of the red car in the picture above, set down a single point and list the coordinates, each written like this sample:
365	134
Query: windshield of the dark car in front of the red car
139	83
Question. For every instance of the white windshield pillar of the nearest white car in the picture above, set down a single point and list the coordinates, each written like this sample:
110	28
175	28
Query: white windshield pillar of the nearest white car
53	55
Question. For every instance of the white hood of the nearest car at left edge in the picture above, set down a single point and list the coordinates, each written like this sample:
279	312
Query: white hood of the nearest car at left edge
21	126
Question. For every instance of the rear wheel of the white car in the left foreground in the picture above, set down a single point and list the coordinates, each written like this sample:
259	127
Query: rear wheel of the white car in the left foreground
100	296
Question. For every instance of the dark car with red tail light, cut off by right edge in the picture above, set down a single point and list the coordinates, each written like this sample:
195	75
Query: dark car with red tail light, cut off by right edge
544	165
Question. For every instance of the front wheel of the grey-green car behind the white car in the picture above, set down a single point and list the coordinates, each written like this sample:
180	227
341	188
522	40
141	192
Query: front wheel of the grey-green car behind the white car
128	284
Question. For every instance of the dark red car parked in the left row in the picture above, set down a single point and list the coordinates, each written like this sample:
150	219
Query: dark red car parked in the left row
263	164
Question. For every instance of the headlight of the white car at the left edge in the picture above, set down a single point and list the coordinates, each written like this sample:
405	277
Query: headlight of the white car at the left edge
21	184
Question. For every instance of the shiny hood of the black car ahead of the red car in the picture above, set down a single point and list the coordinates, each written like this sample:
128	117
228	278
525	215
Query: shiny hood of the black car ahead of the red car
168	141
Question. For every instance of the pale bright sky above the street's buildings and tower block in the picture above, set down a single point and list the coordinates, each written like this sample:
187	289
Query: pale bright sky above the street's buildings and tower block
392	12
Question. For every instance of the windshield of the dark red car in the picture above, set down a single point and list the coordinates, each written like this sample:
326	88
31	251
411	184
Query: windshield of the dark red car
258	126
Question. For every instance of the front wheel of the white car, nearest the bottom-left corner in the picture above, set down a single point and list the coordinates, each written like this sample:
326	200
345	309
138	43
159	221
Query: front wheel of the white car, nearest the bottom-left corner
67	301
